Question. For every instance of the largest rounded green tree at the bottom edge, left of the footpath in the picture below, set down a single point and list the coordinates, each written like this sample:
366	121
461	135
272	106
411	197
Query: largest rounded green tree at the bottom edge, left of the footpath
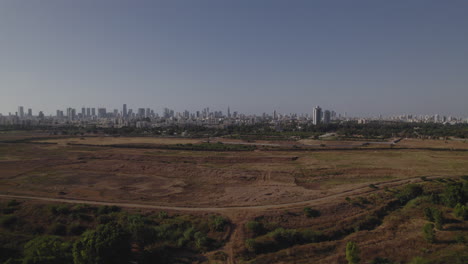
109	243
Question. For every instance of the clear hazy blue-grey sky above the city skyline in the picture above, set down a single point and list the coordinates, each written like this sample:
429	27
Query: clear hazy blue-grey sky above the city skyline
360	57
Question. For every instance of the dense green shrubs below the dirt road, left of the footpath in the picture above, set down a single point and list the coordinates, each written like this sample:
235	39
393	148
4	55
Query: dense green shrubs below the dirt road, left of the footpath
85	234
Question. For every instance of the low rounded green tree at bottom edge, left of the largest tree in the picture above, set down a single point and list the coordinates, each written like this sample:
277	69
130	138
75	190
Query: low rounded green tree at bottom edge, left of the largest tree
47	250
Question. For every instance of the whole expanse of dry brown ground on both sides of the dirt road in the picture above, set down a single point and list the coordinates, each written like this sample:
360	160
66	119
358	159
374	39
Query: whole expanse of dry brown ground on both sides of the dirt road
270	187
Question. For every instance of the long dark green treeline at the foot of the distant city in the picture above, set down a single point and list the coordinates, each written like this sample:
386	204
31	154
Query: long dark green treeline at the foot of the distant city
373	130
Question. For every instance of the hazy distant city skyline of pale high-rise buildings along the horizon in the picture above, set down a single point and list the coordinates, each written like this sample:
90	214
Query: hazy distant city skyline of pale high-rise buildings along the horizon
147	117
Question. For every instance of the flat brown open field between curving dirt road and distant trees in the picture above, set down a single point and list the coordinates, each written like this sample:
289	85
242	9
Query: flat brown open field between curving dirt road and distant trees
187	178
